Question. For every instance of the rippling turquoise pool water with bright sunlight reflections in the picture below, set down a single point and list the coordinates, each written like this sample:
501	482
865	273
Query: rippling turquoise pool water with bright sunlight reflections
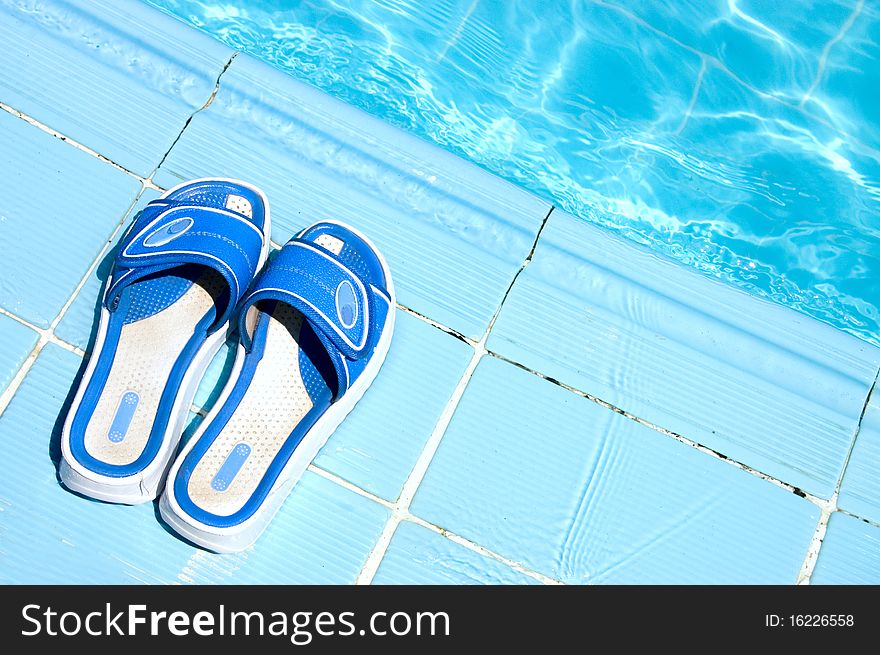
741	138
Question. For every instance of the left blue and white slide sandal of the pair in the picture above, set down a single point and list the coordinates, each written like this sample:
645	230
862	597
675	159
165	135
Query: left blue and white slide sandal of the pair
185	262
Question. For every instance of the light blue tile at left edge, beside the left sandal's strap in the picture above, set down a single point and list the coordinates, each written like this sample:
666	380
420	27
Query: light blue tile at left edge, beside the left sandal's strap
58	208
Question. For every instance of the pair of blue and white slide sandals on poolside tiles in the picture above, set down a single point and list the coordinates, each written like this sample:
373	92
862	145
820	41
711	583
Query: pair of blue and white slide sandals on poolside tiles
314	325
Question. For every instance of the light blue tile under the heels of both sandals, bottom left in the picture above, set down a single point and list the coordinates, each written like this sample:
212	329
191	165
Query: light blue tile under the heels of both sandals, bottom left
49	535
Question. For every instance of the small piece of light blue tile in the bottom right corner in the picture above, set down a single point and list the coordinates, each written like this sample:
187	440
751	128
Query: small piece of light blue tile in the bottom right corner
850	553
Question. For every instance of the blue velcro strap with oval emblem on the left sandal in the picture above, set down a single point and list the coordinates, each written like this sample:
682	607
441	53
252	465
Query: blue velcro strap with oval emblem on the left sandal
166	237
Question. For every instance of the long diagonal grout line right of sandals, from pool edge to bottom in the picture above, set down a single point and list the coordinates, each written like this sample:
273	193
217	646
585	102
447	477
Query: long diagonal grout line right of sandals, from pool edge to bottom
400	509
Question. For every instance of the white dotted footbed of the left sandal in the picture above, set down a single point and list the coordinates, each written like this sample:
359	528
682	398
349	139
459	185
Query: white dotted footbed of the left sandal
145	354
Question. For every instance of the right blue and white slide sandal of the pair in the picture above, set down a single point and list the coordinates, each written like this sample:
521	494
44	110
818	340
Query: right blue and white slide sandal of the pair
313	333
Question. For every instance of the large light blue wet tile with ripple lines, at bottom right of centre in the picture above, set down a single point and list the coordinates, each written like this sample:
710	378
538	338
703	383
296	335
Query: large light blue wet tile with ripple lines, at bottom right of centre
573	490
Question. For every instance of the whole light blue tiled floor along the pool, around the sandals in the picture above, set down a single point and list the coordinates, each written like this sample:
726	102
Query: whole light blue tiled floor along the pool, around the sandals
559	405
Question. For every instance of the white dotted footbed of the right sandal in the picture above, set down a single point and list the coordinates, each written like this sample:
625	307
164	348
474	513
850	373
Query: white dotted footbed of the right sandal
276	400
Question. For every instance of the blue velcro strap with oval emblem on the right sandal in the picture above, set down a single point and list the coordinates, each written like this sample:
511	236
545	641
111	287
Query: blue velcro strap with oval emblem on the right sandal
325	290
